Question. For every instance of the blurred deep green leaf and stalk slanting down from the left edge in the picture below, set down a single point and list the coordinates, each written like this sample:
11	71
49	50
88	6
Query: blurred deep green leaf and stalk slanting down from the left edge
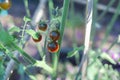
7	41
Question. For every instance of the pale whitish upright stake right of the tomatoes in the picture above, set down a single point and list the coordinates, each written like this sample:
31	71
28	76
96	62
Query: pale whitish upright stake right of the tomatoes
83	63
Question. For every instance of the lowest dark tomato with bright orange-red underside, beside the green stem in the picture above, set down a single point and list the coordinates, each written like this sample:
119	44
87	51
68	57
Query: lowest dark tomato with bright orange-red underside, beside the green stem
53	47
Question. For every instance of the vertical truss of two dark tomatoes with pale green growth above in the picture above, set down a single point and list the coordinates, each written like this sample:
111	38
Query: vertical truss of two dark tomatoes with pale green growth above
54	34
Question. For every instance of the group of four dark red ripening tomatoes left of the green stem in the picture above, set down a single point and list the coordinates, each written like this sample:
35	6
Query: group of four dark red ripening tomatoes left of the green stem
54	36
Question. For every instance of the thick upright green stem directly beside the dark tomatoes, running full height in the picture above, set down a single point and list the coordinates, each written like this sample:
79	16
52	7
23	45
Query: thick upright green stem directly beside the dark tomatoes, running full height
62	27
